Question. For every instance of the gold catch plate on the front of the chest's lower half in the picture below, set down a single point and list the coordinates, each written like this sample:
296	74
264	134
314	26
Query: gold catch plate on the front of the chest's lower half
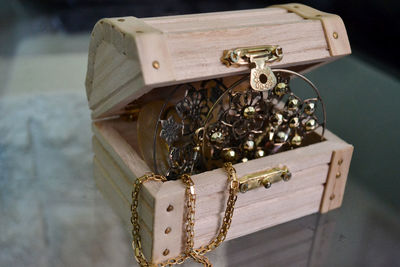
264	178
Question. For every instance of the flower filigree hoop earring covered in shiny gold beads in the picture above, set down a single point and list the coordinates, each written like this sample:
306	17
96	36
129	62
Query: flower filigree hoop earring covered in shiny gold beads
261	123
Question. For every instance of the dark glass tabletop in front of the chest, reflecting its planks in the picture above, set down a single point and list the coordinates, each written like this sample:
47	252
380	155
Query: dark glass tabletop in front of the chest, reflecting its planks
363	232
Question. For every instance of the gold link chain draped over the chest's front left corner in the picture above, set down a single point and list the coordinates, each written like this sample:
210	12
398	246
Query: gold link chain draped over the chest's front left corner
190	252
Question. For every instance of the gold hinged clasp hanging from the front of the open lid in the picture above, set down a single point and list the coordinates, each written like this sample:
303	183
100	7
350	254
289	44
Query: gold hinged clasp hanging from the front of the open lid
262	78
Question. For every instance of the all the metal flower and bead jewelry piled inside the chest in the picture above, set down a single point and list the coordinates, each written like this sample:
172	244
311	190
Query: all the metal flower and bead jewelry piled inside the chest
212	123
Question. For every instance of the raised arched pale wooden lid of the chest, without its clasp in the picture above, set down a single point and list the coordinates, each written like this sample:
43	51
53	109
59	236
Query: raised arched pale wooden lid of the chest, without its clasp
188	48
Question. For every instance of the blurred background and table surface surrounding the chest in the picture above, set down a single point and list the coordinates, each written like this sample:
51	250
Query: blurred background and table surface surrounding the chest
50	211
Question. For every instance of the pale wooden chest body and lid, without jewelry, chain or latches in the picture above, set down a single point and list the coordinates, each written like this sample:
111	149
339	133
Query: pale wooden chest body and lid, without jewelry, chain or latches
131	58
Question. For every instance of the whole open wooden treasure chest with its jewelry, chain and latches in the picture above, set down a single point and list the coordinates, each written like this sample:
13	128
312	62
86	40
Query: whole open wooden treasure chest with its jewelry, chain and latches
203	105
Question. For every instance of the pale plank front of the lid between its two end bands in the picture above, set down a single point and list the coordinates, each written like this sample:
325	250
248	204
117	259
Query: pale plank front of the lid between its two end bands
196	57
